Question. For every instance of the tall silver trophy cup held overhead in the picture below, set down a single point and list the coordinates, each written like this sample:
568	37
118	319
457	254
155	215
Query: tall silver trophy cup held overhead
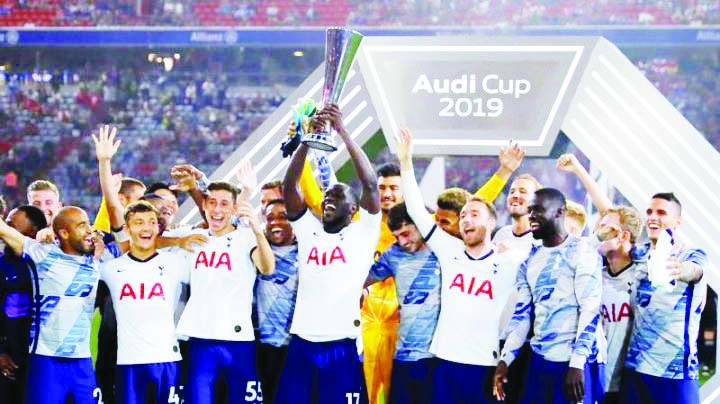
341	45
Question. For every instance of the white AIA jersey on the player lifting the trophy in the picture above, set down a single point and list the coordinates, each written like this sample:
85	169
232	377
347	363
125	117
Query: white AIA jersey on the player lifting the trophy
332	270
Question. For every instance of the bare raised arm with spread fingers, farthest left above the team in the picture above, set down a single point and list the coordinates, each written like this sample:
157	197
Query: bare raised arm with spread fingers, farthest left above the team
105	148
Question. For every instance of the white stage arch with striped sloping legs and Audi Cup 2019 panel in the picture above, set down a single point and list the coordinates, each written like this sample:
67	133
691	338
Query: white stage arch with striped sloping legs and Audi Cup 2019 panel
470	95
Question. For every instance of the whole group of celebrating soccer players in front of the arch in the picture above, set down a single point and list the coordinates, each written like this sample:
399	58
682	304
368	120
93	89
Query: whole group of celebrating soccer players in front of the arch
278	307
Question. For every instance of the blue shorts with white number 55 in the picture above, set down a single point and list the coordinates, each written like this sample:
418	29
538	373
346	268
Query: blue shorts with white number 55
212	361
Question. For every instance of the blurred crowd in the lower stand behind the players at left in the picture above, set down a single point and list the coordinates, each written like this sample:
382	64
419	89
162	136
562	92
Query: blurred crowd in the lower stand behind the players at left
165	118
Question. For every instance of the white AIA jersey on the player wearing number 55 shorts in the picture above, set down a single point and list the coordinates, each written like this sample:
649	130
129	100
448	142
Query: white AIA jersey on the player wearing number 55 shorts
222	279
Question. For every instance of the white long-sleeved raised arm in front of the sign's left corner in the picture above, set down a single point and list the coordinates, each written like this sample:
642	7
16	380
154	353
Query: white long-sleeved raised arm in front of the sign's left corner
413	198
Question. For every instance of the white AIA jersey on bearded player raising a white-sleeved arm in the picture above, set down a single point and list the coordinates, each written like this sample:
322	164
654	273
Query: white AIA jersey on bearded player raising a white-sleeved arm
474	293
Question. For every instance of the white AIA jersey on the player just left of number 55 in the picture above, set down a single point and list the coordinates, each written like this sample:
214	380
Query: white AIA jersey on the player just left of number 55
143	294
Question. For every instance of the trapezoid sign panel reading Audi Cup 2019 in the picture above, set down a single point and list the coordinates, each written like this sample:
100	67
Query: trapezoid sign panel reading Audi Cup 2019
473	95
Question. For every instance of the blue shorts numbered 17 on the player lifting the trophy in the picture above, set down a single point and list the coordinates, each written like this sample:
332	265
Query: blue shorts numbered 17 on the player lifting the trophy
320	372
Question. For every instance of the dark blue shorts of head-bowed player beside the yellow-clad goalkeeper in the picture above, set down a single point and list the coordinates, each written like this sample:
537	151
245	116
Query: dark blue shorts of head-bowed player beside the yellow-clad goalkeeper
412	381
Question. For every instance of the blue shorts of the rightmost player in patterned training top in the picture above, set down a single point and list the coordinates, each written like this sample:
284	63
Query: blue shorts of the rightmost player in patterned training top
640	388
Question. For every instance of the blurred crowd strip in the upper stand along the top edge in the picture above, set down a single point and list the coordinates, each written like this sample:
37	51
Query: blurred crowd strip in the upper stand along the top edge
355	12
